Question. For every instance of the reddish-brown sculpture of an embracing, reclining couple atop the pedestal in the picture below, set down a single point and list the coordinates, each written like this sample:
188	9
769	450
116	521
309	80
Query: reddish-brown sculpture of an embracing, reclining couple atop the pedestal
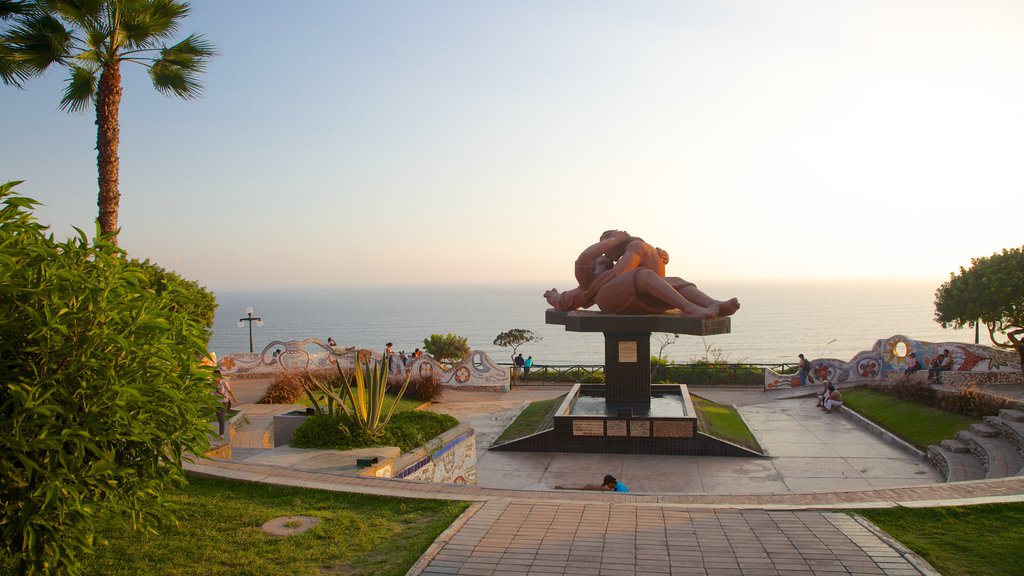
622	274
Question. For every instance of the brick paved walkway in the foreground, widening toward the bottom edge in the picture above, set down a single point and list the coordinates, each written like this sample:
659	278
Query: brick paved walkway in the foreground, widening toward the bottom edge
504	538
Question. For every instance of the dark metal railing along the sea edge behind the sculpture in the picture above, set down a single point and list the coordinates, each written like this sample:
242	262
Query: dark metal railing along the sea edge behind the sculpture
699	375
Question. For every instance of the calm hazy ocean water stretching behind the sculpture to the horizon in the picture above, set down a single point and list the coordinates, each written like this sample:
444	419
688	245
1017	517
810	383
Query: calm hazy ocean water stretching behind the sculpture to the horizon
778	319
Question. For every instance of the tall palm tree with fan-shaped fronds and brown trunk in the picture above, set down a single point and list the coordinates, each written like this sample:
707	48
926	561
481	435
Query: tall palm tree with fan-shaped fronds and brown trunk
92	38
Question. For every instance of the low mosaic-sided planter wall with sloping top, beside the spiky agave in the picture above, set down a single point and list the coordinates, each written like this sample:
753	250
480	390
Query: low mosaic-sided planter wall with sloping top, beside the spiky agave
449	459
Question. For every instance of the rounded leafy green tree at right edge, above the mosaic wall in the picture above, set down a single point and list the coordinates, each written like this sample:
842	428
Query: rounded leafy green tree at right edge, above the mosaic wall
991	293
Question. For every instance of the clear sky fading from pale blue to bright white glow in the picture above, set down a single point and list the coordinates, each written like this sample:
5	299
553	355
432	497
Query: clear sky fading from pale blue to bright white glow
409	142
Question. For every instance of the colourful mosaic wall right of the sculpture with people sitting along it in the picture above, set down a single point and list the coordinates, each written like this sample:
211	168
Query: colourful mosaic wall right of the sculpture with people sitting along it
889	357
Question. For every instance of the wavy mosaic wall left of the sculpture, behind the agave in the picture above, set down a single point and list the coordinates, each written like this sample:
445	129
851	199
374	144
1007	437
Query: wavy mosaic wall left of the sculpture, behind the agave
477	373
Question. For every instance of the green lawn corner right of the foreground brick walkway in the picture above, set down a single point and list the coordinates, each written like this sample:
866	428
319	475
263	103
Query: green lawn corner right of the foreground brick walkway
983	541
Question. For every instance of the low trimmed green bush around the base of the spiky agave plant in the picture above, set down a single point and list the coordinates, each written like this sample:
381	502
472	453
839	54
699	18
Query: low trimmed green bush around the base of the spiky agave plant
407	431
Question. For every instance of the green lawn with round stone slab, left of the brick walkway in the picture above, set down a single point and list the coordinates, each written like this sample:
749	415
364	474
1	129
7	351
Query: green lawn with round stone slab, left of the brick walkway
220	533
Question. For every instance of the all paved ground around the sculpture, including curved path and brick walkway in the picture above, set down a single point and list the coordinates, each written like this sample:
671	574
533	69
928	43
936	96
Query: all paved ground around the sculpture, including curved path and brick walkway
775	516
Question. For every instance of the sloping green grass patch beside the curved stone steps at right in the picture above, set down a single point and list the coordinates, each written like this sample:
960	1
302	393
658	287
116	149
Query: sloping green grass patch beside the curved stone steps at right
919	425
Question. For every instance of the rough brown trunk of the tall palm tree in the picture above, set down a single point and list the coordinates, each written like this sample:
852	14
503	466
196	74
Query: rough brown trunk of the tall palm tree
108	140
